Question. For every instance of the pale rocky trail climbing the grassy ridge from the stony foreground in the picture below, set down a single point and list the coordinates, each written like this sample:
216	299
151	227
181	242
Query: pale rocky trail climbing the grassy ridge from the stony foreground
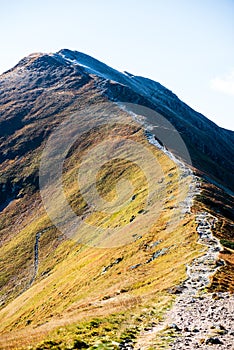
196	320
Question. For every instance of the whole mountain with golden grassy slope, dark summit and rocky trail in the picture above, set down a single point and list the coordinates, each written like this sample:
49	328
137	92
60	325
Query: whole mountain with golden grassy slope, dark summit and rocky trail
116	212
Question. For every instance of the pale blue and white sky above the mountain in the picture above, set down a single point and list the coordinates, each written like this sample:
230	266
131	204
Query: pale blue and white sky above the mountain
186	45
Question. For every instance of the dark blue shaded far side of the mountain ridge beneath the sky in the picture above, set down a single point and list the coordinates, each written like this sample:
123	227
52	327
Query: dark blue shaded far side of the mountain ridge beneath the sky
198	132
